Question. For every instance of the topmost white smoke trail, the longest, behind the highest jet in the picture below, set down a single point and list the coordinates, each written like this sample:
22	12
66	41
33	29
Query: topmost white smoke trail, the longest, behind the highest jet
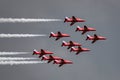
25	20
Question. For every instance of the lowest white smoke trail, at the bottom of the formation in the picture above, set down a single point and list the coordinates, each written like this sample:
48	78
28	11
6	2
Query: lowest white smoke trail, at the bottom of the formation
20	62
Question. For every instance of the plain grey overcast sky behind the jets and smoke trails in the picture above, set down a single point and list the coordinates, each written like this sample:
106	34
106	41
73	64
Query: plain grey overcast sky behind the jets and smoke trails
101	63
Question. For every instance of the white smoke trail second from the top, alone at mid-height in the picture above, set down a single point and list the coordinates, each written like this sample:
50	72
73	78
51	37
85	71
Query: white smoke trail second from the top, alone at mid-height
20	35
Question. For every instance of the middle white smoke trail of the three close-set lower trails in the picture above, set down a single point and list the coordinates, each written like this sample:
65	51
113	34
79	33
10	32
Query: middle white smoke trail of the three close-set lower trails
15	58
